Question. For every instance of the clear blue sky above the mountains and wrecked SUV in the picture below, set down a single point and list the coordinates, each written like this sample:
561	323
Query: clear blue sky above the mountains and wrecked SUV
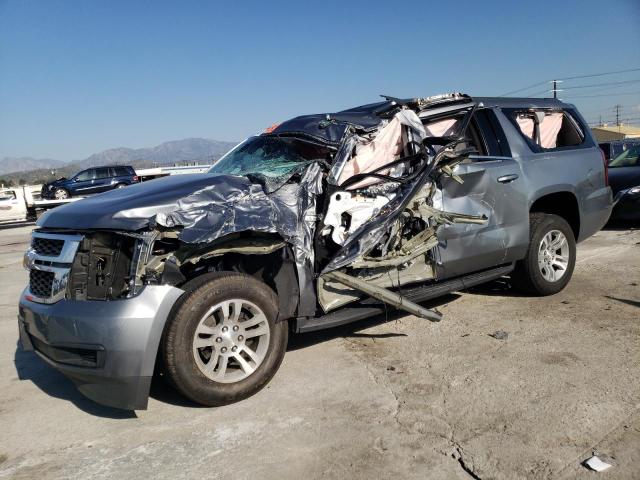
77	77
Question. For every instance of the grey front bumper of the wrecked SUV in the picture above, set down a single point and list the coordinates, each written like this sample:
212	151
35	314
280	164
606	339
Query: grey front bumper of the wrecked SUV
107	348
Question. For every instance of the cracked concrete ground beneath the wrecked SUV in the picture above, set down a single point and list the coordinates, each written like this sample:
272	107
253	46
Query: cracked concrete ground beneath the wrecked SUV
385	397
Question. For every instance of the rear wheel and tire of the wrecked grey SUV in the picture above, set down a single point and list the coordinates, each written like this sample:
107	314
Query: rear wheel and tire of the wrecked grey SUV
533	274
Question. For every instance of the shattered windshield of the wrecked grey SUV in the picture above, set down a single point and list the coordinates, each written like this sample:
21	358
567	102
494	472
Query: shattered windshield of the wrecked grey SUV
270	160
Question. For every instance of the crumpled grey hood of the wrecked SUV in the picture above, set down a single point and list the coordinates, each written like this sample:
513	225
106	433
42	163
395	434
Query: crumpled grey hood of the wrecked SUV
132	208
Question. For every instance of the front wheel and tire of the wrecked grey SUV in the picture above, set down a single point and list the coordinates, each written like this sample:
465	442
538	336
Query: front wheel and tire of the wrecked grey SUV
192	370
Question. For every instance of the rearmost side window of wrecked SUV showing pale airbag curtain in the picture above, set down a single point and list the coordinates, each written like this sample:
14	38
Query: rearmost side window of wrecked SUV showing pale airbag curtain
547	129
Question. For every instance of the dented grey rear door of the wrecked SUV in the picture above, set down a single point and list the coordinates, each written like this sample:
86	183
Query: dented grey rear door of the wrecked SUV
492	186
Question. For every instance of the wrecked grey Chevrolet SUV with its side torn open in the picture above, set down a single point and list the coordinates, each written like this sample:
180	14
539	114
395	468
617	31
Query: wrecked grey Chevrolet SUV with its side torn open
319	221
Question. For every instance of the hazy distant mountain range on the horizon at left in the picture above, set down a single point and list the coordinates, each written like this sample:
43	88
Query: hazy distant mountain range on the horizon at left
196	150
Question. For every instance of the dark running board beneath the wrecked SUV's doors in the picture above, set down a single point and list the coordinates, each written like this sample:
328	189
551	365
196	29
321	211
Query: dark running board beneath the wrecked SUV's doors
369	307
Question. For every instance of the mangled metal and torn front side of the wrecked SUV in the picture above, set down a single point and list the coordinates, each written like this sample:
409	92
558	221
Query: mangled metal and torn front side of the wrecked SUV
376	176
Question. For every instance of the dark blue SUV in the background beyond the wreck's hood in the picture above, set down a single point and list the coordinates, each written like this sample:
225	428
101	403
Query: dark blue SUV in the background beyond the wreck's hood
89	181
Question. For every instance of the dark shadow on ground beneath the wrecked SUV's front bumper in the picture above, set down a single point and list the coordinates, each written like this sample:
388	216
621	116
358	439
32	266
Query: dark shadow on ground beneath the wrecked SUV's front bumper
30	367
